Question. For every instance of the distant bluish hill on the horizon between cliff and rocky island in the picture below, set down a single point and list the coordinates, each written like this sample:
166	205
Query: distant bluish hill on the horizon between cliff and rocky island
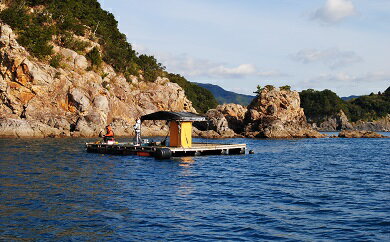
224	96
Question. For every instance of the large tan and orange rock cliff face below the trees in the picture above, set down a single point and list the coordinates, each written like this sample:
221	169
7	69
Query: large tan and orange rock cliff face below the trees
37	100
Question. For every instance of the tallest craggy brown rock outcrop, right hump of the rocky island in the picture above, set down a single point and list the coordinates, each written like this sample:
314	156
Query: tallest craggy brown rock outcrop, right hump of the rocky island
276	113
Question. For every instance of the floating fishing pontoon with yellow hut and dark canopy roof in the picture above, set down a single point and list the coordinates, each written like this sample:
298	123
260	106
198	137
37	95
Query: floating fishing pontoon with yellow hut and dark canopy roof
180	140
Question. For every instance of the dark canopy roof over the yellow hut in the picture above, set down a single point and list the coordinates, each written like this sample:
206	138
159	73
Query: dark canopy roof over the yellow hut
177	116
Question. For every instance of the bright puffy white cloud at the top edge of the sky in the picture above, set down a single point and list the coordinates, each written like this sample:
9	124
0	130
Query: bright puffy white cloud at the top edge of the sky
335	11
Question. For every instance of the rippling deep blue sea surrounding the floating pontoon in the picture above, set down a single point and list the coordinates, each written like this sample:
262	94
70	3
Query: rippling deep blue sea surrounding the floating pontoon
289	190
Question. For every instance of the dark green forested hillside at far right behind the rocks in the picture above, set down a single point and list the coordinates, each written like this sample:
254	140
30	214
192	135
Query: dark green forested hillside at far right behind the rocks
321	104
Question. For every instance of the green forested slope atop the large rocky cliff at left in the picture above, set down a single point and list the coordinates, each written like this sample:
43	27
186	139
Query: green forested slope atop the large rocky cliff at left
73	24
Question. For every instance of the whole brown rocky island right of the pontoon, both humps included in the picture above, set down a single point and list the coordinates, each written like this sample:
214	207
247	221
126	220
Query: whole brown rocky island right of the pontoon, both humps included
274	113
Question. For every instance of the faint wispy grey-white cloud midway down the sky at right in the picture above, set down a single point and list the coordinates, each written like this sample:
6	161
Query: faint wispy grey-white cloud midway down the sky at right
333	57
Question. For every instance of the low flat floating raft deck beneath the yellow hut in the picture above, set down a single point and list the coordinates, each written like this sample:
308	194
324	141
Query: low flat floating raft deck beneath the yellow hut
164	152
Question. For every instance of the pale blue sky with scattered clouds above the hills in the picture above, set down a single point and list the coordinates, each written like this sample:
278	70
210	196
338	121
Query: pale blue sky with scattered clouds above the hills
341	45
